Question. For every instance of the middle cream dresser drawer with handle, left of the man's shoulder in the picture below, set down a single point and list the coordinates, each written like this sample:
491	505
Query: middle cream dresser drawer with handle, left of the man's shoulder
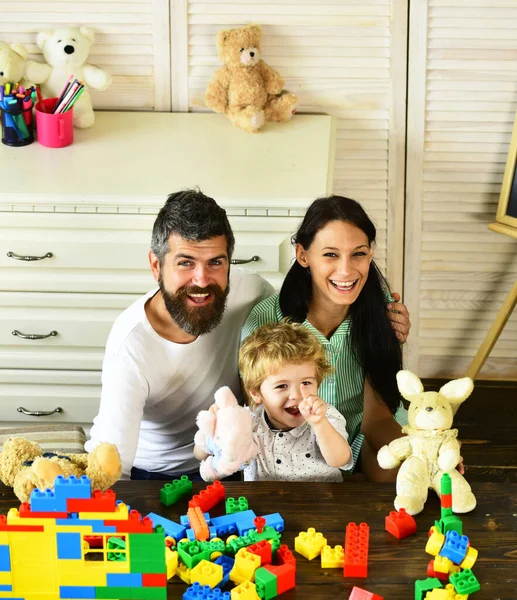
71	329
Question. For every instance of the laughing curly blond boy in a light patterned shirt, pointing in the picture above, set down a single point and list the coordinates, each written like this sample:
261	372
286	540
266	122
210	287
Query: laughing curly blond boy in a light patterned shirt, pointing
300	437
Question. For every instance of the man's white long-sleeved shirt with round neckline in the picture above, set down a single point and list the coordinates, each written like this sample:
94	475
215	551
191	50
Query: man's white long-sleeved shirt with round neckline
152	389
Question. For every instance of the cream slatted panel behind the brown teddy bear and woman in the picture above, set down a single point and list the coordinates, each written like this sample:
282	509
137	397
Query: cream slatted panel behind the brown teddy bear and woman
347	66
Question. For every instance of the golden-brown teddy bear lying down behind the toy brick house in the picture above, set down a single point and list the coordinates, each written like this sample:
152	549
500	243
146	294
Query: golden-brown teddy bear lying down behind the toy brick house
24	467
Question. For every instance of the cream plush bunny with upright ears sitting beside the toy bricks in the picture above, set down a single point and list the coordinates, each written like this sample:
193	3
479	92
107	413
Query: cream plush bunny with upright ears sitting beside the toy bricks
430	447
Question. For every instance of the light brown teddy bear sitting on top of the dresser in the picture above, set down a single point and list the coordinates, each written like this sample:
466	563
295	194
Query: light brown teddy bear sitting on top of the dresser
246	89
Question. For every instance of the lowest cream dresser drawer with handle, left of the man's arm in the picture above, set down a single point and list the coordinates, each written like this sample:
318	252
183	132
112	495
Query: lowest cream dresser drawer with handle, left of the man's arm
76	394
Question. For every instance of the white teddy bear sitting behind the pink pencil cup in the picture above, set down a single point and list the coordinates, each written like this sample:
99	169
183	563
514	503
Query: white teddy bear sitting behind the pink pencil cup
66	51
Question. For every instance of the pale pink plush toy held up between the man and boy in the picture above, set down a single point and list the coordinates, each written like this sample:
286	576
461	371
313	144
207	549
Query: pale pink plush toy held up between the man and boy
227	435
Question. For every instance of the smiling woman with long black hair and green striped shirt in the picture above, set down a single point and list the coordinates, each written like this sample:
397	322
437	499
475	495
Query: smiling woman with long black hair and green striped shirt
336	290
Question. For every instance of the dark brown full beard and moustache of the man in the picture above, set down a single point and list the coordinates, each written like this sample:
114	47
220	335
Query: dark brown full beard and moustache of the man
193	320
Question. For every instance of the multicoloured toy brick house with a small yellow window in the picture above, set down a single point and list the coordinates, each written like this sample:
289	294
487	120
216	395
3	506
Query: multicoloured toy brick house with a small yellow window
72	543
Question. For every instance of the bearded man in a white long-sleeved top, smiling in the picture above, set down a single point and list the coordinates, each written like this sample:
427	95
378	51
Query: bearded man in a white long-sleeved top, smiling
173	348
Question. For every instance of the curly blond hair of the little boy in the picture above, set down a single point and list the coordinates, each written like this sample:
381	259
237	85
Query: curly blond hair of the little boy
272	346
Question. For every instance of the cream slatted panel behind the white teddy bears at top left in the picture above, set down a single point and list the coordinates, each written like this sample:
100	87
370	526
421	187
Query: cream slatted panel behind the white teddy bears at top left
132	43
